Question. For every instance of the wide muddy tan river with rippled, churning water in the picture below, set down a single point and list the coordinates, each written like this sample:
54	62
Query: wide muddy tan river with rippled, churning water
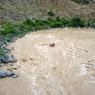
67	68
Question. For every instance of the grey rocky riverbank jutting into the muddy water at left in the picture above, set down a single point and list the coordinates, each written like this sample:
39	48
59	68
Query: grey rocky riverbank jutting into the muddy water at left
6	58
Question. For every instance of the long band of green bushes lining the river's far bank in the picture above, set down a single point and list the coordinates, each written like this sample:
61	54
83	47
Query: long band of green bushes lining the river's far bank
9	31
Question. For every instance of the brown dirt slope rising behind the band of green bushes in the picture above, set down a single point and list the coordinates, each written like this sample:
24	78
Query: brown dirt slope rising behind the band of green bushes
20	9
